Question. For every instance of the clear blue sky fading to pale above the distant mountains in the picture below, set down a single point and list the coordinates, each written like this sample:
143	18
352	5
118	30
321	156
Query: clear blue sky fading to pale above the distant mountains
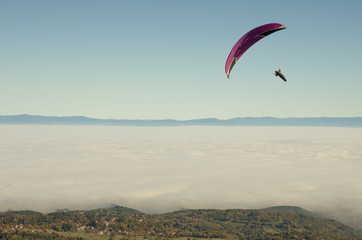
165	59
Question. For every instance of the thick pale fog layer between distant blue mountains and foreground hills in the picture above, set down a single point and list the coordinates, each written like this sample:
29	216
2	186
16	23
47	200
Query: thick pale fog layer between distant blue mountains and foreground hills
160	169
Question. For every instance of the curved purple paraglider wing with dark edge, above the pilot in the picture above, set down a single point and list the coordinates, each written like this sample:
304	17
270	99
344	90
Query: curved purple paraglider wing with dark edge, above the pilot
248	40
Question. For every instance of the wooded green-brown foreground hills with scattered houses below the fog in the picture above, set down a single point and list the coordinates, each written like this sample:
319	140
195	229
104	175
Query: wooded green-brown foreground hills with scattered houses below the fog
125	223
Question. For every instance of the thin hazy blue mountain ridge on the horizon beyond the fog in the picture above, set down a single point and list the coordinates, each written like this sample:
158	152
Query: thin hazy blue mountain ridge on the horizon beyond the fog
240	121
